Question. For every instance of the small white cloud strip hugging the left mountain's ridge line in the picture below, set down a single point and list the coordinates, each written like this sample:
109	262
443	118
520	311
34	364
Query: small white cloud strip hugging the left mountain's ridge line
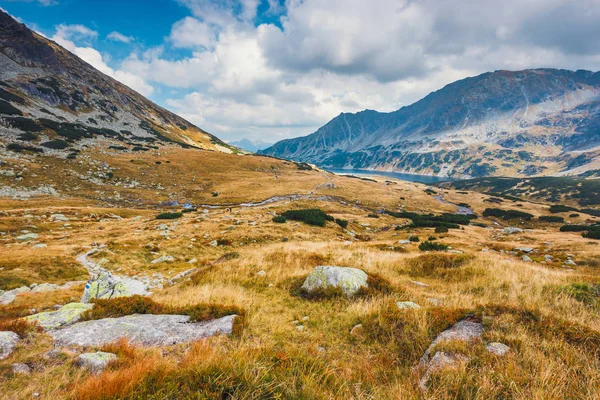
67	35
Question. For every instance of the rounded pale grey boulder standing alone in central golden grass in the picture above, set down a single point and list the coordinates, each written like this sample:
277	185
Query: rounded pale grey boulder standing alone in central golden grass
350	280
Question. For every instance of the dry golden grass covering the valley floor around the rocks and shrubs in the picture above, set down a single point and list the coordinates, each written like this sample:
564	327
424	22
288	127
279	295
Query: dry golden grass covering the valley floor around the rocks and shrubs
553	336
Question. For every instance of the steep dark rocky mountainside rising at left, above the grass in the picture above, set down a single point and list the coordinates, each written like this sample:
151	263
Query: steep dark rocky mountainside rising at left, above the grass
52	102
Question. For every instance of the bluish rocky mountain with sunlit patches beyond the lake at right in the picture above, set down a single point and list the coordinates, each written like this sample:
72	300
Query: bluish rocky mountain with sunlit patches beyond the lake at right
503	123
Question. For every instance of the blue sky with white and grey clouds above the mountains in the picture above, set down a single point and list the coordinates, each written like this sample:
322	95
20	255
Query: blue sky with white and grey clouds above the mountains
274	69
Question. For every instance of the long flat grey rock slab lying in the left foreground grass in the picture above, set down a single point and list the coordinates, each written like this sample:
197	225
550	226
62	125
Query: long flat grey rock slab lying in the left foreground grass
145	330
